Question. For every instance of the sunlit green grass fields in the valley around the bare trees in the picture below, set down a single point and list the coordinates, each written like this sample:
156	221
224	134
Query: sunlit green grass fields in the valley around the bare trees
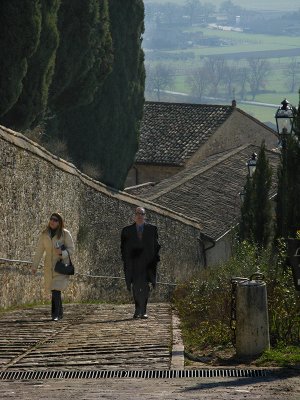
275	83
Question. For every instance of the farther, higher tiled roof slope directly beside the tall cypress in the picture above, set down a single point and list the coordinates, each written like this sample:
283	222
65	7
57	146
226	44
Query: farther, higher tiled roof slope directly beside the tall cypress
172	132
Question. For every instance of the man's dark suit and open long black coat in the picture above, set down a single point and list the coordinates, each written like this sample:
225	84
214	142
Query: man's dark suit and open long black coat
140	258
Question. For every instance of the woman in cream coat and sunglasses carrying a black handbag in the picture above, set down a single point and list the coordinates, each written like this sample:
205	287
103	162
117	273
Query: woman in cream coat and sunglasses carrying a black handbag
56	243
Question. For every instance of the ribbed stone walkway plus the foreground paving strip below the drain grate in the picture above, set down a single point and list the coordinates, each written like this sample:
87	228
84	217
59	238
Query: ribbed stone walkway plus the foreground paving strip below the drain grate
98	337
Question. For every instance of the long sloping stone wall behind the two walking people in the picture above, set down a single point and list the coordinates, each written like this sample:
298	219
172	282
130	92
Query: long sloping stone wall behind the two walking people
34	183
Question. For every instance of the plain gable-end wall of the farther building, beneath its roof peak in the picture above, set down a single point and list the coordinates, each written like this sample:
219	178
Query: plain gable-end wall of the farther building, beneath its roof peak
237	130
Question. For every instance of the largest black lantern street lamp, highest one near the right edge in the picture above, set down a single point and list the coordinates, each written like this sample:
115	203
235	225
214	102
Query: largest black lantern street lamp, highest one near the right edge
285	121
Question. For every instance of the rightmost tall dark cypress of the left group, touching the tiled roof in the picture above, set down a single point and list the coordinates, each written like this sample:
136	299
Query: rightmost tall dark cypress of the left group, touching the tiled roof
105	132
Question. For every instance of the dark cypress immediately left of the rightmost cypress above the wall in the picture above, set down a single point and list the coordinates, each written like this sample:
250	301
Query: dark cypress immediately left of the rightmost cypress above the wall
84	55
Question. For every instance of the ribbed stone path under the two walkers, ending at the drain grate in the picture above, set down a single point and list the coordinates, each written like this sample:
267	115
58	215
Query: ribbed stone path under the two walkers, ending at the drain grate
88	337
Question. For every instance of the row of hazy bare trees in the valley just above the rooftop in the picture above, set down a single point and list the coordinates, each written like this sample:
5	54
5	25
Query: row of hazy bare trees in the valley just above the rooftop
217	77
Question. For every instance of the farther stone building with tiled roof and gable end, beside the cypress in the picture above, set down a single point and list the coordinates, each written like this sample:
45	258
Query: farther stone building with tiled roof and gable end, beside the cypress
175	136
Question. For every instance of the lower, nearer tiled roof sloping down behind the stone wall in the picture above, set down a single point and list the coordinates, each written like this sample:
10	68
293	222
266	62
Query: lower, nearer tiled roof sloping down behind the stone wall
209	192
